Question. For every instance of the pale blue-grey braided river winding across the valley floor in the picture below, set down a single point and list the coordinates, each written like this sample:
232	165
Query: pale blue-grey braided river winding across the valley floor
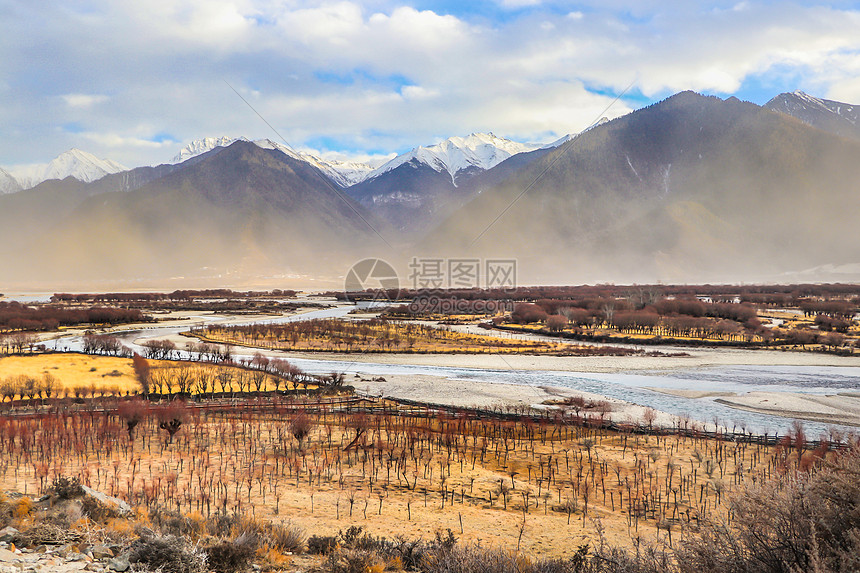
631	387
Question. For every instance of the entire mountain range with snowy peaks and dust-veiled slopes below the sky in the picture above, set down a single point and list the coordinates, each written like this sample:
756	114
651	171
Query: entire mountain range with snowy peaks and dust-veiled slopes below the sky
693	188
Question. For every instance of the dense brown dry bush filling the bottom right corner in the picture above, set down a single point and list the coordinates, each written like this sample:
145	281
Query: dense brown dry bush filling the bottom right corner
802	523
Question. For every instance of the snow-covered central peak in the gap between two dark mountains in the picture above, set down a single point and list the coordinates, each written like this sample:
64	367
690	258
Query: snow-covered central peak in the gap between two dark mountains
476	150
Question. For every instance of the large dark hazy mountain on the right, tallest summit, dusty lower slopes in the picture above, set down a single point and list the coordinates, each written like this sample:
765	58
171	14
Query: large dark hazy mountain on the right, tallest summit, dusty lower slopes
692	188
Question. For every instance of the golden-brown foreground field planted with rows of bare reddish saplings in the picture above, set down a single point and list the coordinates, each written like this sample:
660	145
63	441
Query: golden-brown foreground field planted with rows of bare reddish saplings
543	485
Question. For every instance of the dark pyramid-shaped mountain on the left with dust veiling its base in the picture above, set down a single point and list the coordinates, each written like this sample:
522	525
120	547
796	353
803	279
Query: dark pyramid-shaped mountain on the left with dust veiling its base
243	212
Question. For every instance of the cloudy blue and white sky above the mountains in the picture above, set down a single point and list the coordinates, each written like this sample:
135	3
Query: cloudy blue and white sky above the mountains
136	81
